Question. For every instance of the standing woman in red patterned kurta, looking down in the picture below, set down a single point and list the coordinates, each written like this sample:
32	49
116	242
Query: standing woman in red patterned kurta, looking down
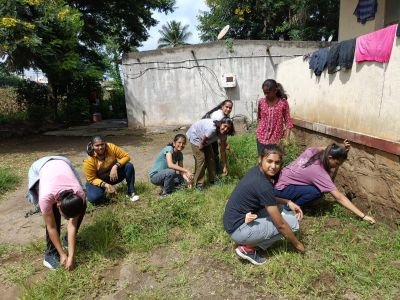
274	122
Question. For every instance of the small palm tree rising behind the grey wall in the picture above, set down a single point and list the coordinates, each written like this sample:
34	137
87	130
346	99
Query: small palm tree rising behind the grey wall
173	34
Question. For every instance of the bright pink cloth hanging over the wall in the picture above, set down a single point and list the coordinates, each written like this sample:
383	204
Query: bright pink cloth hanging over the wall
376	46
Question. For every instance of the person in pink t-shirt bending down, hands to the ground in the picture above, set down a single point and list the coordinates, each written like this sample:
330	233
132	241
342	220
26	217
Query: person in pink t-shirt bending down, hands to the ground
55	186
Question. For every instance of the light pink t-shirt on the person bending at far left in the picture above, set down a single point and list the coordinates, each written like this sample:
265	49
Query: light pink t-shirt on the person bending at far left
55	177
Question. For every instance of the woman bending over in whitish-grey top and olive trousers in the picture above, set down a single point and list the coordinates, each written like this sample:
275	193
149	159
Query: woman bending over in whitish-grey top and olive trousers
201	135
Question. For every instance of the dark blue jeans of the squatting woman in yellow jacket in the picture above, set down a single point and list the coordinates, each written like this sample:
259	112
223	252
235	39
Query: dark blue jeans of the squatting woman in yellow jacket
95	194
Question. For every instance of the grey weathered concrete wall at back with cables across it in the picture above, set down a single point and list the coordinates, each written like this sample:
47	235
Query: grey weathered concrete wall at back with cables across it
177	86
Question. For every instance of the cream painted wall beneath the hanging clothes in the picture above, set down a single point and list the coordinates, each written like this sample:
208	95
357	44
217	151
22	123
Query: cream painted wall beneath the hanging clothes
365	99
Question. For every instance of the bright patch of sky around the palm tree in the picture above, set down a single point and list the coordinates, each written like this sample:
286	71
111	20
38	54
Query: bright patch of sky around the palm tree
186	12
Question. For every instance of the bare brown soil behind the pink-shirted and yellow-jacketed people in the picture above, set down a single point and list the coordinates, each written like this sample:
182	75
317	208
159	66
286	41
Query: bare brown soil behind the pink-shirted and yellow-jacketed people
20	153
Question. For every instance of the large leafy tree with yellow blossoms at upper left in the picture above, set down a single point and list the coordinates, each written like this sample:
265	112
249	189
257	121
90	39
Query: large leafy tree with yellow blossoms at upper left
65	38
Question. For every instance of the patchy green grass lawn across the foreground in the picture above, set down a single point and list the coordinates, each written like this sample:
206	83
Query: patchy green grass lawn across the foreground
176	248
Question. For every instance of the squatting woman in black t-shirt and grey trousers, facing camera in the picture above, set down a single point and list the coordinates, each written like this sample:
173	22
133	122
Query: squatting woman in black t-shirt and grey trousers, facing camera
252	217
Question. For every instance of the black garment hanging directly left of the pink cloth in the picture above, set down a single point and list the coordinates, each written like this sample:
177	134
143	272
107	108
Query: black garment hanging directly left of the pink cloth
341	55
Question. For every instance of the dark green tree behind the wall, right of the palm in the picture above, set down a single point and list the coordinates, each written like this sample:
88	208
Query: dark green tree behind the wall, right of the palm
270	19
